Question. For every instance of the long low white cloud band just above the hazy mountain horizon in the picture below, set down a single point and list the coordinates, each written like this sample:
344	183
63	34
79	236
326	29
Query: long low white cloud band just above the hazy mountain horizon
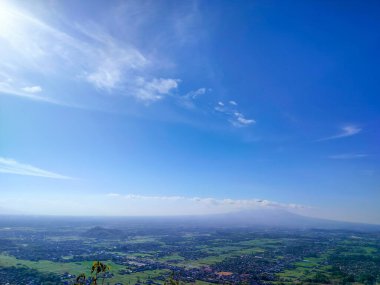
116	204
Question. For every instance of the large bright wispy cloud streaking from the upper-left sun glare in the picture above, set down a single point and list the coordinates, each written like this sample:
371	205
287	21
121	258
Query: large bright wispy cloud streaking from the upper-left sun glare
88	52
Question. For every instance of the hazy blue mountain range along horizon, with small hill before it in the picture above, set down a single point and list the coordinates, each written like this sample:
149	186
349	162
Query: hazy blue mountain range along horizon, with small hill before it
268	217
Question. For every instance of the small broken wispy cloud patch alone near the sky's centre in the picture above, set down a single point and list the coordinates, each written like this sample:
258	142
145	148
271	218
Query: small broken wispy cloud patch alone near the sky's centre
235	117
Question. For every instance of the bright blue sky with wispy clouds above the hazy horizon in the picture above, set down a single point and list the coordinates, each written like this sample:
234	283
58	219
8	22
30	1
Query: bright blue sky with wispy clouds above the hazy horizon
190	107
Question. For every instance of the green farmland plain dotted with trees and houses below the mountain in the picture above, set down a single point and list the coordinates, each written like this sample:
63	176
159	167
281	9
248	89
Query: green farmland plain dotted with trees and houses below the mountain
196	255
